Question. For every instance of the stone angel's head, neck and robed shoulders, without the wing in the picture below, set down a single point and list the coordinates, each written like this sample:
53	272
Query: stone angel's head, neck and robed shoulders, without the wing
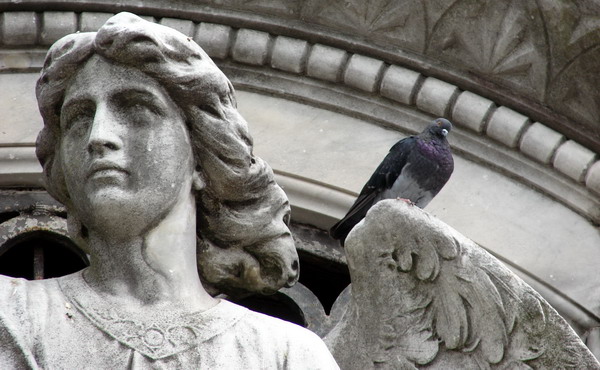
144	145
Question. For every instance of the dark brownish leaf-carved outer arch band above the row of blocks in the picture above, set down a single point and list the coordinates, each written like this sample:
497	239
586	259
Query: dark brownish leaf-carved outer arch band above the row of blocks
537	57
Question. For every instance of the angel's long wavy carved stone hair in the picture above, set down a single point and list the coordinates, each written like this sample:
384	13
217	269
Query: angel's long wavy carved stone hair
244	243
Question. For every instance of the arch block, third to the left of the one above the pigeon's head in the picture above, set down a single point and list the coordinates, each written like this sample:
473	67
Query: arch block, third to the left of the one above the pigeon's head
325	62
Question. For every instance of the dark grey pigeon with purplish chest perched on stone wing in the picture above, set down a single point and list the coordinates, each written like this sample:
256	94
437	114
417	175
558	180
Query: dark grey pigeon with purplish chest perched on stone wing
415	169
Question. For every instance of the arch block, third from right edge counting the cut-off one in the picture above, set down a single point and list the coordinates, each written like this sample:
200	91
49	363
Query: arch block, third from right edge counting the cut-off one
540	142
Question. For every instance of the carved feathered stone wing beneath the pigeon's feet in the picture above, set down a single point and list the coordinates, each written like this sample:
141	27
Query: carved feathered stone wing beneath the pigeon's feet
424	296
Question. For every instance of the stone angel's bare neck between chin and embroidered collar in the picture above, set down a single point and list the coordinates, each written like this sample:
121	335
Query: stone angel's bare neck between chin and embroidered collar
154	269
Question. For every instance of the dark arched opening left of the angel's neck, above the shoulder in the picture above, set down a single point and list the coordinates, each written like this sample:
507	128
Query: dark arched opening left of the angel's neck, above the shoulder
41	255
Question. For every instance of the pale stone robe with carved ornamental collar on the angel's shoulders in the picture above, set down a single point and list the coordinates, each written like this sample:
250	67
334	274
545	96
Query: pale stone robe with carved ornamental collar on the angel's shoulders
62	324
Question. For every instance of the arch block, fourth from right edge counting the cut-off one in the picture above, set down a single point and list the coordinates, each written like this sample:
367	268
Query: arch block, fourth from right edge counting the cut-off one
507	126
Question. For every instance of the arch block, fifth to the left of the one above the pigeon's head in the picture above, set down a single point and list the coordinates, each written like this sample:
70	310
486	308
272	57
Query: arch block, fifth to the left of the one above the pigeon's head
251	47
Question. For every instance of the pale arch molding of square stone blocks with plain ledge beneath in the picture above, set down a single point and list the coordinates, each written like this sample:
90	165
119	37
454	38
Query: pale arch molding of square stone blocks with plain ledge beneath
287	63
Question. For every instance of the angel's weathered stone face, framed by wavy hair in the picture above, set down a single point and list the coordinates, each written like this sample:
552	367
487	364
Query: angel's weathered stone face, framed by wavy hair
125	150
